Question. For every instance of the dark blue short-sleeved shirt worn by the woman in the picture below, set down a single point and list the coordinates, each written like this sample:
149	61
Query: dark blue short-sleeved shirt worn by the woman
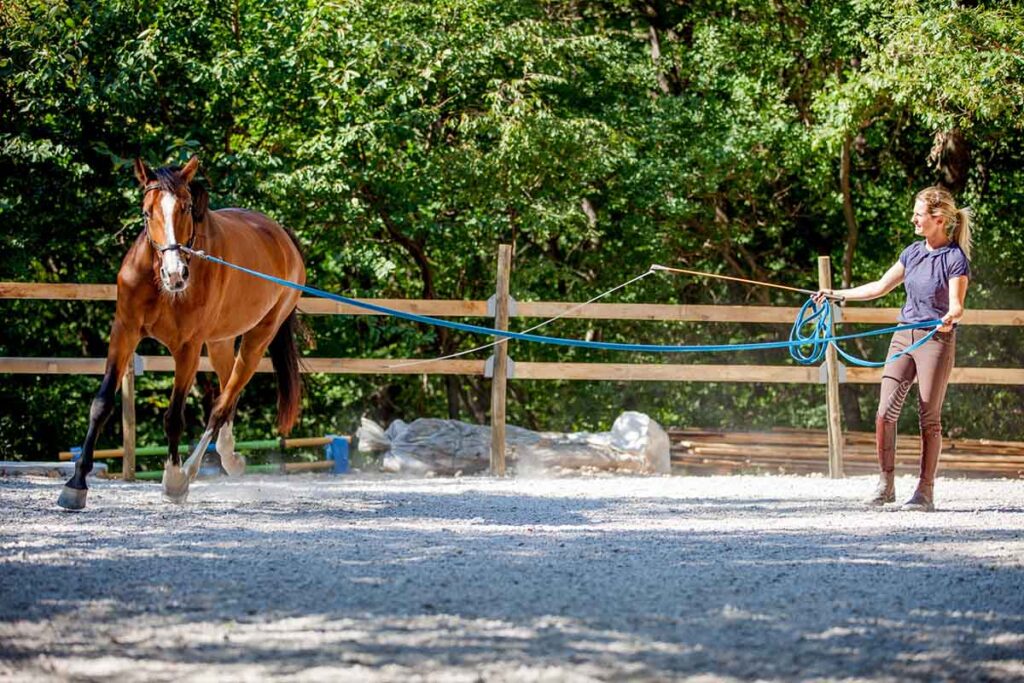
926	279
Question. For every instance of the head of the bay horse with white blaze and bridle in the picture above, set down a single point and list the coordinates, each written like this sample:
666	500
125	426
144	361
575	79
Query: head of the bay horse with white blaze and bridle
175	206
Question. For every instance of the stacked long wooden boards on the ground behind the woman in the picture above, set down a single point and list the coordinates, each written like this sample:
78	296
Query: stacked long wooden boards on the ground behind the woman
806	452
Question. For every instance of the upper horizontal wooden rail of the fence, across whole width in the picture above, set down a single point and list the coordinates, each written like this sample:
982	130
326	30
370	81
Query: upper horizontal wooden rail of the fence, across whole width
446	309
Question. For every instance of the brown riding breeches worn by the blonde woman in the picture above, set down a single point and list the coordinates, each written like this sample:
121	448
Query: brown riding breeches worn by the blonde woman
931	365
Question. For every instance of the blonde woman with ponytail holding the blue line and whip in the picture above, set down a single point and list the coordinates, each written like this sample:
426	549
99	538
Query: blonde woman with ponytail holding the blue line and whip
935	273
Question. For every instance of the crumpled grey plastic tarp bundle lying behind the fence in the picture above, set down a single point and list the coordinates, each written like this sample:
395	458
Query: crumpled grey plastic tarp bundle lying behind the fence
636	444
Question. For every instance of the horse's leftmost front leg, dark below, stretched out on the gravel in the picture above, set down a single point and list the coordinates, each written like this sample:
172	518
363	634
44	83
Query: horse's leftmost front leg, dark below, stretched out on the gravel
124	339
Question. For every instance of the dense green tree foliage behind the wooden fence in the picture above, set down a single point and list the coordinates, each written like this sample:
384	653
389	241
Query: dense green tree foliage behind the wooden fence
404	142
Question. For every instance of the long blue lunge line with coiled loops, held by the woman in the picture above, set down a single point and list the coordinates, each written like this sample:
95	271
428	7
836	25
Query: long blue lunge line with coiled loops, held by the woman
818	340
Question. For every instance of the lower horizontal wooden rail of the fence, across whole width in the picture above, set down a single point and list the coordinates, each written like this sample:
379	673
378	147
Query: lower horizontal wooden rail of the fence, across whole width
527	371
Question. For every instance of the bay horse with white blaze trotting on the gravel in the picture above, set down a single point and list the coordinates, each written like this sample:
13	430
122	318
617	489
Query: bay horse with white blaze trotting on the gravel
186	304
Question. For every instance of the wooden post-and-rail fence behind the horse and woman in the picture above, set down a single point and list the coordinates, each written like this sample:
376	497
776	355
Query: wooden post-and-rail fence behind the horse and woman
832	375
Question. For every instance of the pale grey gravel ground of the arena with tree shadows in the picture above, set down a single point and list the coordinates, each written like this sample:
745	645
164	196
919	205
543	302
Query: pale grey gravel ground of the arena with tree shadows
576	579
